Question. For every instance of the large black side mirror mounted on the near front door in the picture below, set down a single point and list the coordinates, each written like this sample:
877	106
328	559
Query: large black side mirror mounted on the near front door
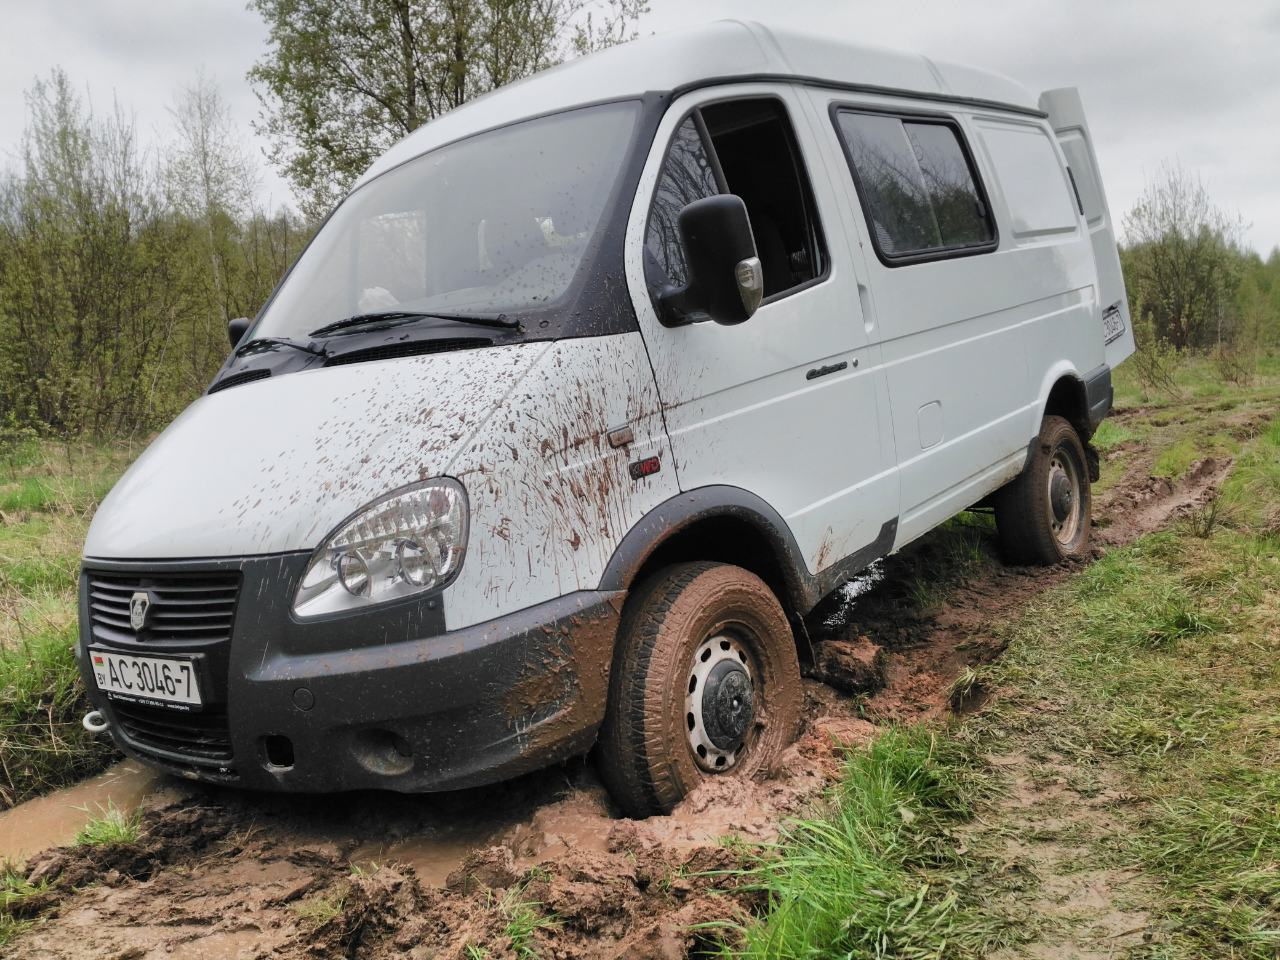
725	276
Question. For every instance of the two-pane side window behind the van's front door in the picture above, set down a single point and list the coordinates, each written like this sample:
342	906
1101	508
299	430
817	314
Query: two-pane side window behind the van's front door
920	190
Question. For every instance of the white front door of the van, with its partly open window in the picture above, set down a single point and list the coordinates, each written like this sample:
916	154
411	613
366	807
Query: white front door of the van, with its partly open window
785	405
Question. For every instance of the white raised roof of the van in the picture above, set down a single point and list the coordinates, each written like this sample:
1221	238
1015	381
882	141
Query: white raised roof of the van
721	52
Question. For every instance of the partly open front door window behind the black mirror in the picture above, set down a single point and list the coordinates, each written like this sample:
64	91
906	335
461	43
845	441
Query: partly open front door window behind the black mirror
744	148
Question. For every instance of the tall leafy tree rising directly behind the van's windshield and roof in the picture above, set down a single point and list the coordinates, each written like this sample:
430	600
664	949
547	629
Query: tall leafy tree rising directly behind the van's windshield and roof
344	80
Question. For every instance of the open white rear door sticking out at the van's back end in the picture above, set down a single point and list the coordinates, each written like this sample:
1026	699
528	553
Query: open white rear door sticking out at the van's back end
1067	116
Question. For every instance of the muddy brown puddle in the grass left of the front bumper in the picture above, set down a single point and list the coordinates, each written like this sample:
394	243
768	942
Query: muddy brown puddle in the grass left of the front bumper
54	820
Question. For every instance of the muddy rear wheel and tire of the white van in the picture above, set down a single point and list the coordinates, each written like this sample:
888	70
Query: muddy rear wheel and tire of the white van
1045	516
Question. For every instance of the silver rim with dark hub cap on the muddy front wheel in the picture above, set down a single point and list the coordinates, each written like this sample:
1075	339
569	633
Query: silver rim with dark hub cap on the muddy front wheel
720	705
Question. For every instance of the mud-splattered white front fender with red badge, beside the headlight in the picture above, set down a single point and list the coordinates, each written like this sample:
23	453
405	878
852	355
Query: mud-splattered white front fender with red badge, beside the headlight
551	496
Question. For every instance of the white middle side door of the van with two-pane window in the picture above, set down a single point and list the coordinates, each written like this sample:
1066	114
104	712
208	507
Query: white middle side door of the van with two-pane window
952	341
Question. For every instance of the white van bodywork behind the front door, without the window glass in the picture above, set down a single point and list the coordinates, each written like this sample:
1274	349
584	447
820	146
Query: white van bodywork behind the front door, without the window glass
958	332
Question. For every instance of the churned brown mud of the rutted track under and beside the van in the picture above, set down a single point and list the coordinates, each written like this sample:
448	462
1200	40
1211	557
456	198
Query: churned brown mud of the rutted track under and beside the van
227	875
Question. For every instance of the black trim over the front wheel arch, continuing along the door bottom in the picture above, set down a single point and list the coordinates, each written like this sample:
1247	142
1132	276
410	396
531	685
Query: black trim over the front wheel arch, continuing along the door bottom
685	510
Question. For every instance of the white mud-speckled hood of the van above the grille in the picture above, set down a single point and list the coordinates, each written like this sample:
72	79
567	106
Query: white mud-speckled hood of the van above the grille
276	465
